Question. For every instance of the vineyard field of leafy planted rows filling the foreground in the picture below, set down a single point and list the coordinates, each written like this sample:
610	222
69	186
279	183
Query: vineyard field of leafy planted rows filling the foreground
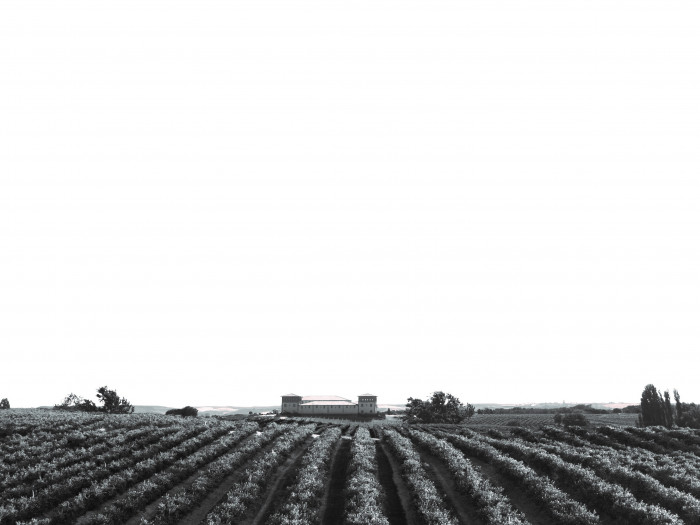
154	469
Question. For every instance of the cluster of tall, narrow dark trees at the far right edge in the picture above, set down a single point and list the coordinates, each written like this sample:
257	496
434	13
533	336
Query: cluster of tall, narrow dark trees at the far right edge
657	409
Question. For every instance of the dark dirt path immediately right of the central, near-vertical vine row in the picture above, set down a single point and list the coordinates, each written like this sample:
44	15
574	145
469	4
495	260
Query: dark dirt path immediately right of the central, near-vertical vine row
398	506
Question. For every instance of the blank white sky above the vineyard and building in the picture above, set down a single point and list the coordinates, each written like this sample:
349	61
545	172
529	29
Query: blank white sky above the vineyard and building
223	202
